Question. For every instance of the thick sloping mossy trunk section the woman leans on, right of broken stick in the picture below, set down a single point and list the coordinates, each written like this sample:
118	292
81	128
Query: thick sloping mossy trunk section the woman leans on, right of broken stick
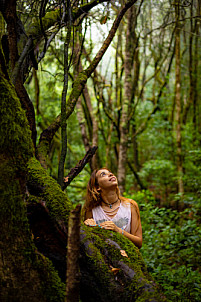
109	276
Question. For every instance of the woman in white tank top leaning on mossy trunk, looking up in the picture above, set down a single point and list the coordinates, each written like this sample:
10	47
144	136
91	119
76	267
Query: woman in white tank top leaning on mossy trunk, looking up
104	207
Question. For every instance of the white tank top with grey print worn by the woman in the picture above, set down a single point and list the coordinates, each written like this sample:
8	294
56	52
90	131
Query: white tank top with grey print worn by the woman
122	219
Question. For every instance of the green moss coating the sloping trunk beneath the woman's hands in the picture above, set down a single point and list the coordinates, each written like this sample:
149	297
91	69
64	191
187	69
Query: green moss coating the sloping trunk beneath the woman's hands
103	250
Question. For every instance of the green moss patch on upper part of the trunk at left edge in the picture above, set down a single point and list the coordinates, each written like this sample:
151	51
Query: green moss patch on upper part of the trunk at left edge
14	129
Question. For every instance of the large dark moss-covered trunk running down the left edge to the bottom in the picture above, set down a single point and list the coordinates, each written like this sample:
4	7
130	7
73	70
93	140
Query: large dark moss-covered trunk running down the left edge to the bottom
24	272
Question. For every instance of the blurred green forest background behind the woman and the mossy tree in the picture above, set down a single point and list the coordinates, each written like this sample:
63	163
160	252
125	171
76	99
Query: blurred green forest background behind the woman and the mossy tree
141	107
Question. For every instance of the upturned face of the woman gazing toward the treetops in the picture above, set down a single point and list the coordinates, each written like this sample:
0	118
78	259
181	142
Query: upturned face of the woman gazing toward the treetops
106	179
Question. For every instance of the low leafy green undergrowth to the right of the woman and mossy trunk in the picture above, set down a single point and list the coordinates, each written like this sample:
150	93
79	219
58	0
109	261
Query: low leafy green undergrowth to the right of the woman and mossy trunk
172	247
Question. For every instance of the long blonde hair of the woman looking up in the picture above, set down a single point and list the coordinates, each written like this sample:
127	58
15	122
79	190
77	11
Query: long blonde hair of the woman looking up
93	196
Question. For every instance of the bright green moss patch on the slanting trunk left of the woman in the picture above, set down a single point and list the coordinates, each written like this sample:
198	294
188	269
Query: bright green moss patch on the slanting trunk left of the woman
55	199
